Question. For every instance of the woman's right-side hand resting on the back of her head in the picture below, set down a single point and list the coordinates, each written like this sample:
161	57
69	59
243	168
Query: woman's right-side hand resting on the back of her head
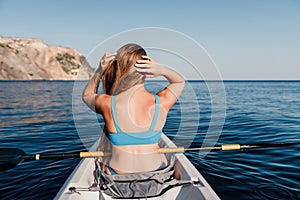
149	67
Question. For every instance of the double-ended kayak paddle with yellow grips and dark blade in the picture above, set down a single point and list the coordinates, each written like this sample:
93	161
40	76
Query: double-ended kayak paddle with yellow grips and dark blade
11	157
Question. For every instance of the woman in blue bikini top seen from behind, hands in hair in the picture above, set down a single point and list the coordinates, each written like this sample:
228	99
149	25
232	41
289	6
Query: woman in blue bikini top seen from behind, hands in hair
133	117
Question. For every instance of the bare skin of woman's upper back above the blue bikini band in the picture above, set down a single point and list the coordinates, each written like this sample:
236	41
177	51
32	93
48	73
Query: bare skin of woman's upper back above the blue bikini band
135	110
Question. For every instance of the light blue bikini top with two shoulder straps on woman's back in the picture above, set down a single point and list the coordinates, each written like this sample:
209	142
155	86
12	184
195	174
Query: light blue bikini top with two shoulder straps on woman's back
122	138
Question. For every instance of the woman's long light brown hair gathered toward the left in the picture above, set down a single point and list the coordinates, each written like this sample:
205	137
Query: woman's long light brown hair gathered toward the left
120	73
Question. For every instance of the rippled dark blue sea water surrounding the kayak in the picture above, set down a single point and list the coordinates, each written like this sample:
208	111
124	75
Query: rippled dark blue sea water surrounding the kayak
37	117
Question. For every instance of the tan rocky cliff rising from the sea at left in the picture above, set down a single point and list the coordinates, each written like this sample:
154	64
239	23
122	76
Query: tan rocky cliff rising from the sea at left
31	59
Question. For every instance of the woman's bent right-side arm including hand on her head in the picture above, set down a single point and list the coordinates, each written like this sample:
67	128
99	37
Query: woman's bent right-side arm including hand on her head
171	93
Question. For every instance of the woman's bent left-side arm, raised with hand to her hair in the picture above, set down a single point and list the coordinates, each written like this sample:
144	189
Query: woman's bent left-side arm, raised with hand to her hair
89	95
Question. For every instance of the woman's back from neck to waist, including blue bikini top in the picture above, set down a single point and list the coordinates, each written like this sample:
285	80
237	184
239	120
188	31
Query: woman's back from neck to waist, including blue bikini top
134	127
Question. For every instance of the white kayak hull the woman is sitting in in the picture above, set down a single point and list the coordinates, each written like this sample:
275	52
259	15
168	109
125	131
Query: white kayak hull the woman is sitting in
82	179
